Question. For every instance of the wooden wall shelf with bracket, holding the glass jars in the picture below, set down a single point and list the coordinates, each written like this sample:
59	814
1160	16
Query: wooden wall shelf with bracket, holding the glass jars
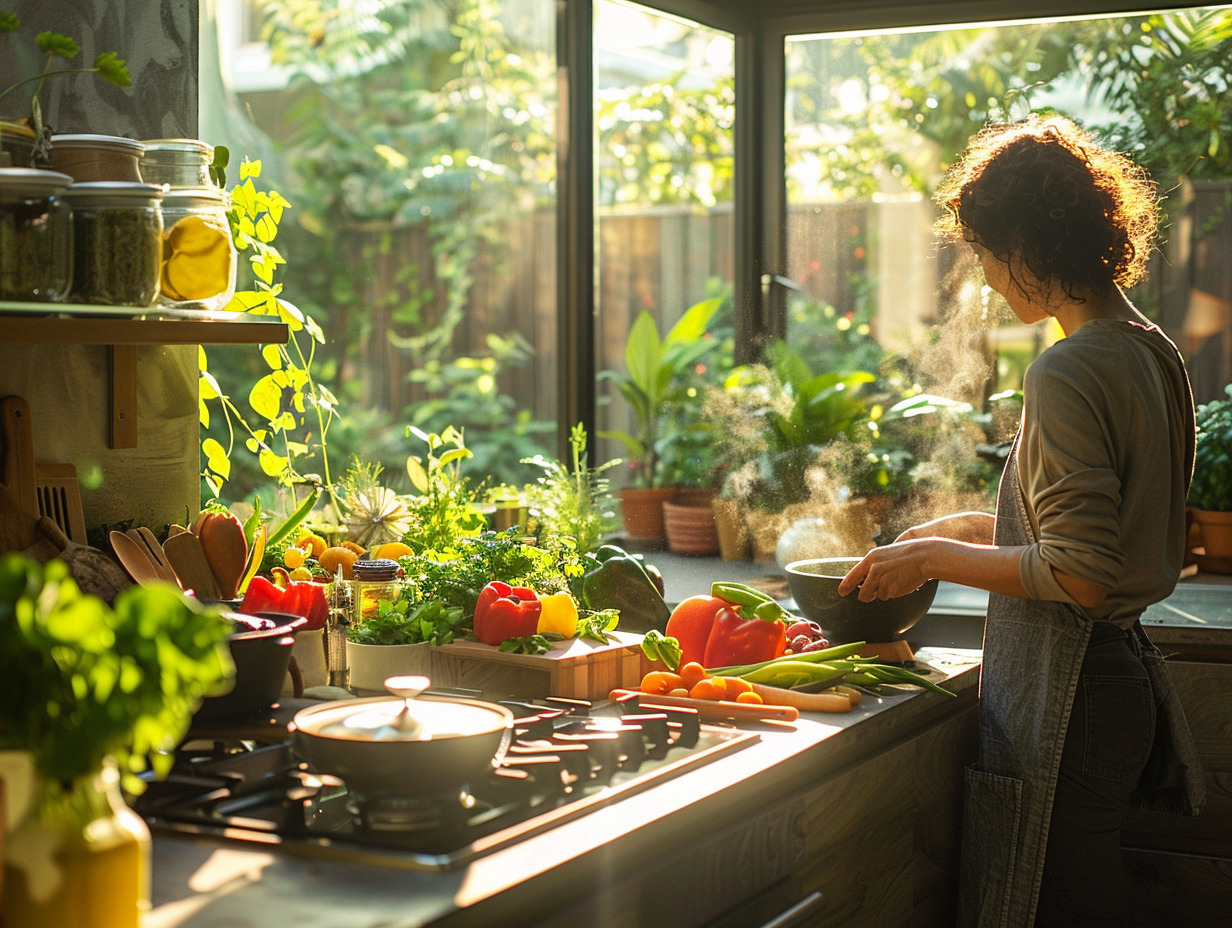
124	330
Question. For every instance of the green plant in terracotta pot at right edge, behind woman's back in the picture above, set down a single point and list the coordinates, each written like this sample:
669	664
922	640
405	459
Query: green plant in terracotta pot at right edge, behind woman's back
1210	492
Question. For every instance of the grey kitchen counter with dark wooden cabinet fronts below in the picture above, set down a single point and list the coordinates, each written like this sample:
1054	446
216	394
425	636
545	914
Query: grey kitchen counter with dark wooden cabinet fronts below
854	815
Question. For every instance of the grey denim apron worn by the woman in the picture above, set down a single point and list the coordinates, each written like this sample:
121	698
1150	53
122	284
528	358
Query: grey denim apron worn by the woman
1032	657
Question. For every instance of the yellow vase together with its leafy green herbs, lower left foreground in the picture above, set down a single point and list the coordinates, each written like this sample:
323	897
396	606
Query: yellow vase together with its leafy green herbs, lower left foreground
126	681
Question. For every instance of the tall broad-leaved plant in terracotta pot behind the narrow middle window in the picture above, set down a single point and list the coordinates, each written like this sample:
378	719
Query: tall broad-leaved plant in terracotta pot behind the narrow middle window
652	363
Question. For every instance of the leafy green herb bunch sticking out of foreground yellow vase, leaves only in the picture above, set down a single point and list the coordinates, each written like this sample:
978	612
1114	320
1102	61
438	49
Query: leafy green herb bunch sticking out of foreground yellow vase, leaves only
83	682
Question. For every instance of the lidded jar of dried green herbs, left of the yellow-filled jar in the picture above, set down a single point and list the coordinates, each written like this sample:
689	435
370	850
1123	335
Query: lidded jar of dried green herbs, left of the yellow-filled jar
118	242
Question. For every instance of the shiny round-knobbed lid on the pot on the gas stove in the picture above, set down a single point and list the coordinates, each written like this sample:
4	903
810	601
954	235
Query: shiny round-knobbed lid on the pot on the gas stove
395	719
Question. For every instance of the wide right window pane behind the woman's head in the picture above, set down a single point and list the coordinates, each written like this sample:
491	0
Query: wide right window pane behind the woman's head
874	119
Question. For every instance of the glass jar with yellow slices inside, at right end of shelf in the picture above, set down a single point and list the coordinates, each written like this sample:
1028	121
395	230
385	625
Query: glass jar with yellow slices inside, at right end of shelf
199	256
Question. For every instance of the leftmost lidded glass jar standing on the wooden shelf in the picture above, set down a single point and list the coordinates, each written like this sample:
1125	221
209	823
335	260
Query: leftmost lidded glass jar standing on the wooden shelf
36	236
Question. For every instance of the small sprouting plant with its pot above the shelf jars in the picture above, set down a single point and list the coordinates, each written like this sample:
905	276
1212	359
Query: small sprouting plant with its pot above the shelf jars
30	137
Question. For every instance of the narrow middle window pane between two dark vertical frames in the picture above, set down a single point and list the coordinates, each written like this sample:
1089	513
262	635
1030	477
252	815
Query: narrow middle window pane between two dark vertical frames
665	114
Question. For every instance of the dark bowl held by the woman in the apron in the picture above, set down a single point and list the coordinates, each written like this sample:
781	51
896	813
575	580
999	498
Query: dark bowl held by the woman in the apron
815	585
